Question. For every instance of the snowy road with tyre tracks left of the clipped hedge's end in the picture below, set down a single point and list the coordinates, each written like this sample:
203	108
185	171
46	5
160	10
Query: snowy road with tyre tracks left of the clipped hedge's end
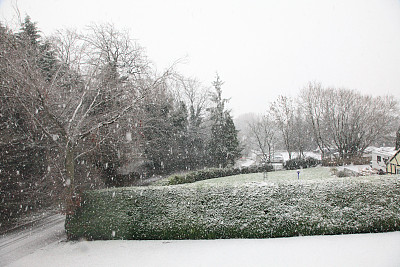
37	235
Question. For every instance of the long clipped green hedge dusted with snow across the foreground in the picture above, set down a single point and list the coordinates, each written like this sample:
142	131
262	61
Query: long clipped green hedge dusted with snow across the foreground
253	210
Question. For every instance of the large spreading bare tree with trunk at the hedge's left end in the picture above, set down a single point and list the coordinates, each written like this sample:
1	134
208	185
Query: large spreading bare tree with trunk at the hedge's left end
99	80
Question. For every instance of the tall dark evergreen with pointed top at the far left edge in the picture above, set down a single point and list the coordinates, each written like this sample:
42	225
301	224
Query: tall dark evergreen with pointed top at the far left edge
24	149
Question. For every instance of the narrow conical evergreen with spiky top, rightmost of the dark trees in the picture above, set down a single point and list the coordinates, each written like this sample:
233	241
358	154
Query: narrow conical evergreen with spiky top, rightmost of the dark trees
224	144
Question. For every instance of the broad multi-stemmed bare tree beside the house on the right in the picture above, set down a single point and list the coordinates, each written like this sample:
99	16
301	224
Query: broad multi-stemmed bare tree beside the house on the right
347	121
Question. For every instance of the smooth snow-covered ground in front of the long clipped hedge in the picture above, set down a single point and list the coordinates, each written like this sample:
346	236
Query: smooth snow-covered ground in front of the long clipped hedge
346	250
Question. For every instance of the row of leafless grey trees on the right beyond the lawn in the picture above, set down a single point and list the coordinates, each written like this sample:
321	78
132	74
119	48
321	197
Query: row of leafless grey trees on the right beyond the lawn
340	123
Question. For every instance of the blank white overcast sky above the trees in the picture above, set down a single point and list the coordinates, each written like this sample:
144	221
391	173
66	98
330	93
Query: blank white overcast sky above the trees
260	48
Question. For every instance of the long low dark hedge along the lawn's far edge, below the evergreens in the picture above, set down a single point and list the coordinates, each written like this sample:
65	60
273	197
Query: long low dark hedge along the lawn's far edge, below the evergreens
195	176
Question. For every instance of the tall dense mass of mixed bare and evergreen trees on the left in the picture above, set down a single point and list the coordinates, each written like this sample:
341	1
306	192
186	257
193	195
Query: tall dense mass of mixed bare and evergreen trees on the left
85	110
